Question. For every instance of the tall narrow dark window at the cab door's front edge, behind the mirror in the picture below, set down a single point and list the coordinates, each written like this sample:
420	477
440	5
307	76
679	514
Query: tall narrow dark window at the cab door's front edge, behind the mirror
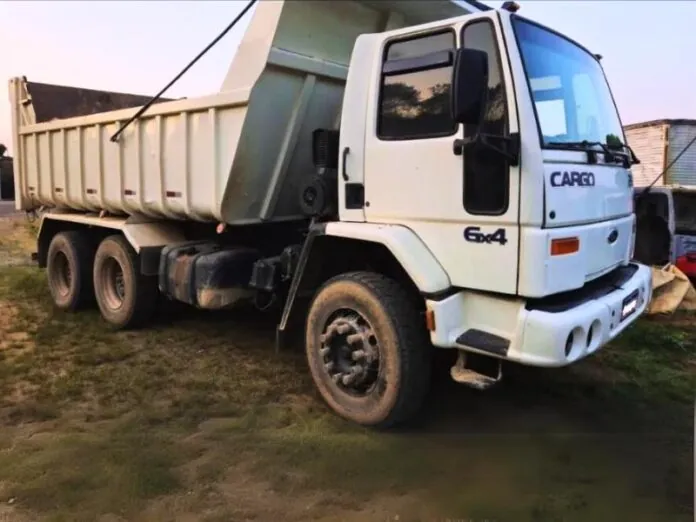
486	176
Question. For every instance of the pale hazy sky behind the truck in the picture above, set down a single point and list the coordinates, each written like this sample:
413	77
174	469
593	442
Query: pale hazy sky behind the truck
137	47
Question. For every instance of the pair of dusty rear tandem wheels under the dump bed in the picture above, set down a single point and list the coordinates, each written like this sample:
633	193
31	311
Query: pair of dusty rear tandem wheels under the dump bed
80	272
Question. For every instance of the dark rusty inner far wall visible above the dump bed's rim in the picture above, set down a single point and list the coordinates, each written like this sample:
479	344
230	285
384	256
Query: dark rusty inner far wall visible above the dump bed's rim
51	102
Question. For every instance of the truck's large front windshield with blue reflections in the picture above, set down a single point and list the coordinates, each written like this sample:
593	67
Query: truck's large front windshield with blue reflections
572	99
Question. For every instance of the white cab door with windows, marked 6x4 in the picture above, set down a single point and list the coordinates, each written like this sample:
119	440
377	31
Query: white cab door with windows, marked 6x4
463	204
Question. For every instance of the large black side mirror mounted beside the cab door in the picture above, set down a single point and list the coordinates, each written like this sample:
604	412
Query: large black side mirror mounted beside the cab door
469	86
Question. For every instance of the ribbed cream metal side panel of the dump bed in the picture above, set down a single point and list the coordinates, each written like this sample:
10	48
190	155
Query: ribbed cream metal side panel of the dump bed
171	163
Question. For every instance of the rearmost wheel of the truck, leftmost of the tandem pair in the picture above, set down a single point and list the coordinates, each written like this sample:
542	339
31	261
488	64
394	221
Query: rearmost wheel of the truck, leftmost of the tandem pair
69	270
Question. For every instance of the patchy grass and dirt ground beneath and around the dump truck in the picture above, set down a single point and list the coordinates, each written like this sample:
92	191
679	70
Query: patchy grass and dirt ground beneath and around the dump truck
198	417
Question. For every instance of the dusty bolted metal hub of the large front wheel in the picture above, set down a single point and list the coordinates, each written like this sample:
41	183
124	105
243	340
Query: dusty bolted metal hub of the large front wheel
350	353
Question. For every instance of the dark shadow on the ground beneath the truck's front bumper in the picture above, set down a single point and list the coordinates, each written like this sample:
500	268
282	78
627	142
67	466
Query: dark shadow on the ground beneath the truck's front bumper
535	400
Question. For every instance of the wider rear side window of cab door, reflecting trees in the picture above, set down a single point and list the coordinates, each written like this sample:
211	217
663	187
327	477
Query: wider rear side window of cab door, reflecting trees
415	90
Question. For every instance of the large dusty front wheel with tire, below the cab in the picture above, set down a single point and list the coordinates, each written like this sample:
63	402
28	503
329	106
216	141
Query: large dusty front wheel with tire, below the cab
387	321
